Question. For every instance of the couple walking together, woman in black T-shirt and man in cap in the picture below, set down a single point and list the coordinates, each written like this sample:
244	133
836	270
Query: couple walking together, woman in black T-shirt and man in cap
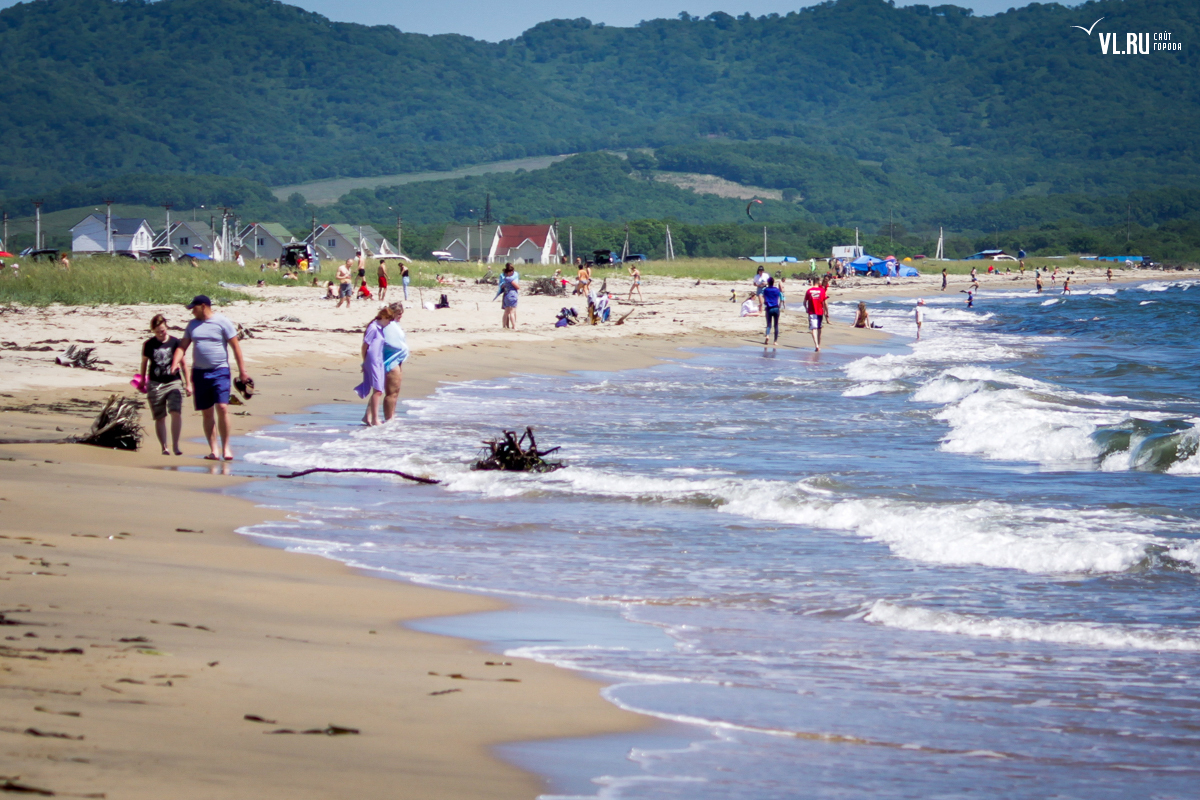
164	376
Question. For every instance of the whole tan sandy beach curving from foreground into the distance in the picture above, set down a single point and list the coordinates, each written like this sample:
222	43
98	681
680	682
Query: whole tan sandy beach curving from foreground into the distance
153	652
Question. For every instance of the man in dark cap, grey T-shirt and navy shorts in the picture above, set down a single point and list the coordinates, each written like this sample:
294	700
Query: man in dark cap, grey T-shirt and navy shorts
212	334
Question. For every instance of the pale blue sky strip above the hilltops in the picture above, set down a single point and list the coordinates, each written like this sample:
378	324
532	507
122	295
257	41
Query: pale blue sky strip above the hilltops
493	21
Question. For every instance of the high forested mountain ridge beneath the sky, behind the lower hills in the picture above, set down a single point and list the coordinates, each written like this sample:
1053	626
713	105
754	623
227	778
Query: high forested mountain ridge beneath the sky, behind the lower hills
865	111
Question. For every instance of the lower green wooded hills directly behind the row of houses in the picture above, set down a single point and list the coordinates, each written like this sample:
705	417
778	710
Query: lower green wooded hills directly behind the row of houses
596	195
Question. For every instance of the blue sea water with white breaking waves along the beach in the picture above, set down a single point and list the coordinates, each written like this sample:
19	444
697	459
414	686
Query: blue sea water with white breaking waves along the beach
963	567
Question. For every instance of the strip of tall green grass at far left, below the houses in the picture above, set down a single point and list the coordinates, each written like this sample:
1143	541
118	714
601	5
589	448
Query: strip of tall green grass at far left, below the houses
105	280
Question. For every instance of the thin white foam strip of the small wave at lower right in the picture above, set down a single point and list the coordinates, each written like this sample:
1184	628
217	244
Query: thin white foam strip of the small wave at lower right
1021	630
